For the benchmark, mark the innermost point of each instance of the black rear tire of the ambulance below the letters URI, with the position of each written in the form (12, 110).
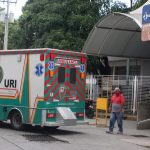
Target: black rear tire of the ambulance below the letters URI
(16, 121)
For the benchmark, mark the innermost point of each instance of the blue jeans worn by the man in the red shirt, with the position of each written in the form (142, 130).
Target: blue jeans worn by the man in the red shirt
(116, 116)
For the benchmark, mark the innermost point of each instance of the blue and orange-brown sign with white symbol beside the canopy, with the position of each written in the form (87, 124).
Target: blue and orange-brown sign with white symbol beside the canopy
(145, 34)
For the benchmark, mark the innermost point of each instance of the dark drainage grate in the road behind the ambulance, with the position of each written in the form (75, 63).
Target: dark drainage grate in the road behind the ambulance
(42, 138)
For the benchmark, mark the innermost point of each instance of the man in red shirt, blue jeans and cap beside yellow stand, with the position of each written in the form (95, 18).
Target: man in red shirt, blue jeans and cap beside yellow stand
(116, 106)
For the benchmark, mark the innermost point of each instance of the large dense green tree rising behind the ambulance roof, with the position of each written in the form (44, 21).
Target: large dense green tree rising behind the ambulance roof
(60, 24)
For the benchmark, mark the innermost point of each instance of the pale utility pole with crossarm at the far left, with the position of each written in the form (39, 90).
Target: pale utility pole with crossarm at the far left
(6, 22)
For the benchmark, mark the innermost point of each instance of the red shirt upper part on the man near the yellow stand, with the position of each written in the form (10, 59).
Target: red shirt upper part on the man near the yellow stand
(118, 99)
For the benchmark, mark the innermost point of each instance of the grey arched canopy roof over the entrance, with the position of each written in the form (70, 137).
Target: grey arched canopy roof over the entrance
(118, 35)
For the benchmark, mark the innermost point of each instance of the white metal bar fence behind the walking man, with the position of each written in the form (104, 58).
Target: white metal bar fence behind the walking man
(136, 89)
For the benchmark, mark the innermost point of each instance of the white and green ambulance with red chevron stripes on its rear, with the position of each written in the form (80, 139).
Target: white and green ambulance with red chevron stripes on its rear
(44, 87)
